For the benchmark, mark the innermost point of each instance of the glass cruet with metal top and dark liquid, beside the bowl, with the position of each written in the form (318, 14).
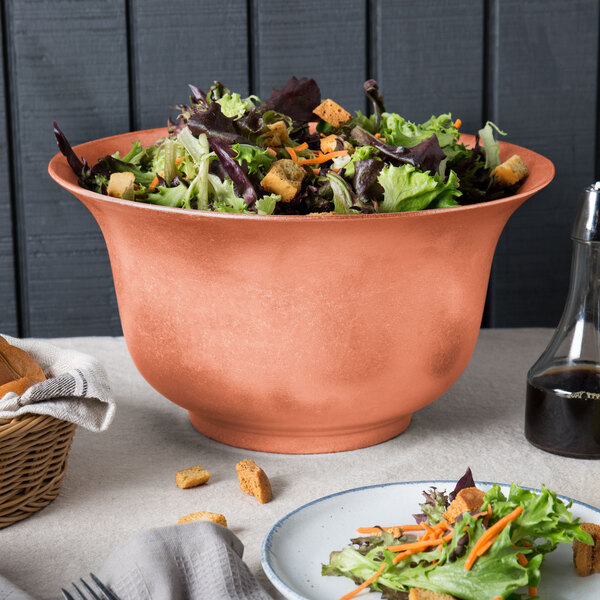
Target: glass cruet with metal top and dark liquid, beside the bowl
(562, 412)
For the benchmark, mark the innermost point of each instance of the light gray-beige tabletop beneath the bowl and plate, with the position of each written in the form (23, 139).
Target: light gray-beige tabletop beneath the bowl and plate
(122, 481)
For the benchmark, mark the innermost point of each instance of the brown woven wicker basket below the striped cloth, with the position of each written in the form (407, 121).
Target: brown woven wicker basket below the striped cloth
(33, 461)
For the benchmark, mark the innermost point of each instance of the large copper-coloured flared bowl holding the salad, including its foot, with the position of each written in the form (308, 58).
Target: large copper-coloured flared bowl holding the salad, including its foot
(299, 334)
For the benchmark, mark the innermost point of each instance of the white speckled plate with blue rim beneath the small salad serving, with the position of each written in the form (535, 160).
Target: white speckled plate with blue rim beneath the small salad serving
(297, 545)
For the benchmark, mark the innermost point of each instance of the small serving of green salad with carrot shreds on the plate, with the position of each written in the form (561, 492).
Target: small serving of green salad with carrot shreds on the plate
(492, 550)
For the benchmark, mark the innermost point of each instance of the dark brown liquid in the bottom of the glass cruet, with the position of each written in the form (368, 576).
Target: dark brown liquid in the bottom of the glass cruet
(562, 412)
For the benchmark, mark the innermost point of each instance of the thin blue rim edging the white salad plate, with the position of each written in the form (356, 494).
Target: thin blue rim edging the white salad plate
(292, 594)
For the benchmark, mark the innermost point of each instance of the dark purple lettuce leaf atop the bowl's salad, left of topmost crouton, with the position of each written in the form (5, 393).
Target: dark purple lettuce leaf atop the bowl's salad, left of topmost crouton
(296, 99)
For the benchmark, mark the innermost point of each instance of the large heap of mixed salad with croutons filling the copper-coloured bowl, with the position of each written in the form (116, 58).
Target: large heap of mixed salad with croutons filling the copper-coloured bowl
(232, 154)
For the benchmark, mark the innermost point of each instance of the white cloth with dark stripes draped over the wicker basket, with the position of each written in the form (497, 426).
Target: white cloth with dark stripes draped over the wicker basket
(77, 391)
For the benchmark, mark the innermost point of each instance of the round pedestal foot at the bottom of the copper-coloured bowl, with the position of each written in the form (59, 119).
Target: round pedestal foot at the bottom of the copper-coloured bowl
(311, 441)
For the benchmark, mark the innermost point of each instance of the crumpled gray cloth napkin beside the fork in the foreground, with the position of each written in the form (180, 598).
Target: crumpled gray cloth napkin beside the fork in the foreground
(192, 561)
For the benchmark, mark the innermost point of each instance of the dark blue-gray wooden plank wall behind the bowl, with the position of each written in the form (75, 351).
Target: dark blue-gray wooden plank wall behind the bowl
(106, 66)
